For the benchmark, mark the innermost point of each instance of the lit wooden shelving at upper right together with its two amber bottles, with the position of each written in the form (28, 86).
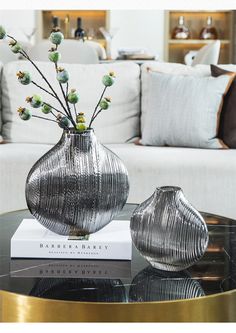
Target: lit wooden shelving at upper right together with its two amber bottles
(203, 27)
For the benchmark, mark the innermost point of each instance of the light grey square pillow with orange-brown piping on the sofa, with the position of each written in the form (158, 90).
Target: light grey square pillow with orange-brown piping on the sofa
(184, 110)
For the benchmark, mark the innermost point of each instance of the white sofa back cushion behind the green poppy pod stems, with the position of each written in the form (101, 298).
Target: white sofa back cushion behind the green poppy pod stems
(118, 124)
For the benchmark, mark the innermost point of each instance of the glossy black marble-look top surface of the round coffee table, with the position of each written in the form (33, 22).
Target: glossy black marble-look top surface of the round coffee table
(117, 280)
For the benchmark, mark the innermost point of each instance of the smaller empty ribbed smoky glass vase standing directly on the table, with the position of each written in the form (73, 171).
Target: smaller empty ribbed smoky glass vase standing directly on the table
(168, 231)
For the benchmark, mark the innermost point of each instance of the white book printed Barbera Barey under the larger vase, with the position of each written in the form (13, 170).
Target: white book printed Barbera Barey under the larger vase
(33, 240)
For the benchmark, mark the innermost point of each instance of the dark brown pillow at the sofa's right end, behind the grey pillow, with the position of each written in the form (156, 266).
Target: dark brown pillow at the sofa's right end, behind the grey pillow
(227, 126)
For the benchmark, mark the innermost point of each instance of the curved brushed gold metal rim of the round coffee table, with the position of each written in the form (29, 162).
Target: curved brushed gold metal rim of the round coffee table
(213, 308)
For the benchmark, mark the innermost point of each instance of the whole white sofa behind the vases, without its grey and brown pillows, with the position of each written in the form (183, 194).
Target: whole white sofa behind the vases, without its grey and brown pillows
(207, 177)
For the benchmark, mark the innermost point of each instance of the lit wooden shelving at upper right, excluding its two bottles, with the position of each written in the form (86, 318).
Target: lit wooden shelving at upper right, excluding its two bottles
(175, 49)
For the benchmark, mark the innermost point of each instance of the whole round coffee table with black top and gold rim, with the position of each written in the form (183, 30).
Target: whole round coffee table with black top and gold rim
(36, 290)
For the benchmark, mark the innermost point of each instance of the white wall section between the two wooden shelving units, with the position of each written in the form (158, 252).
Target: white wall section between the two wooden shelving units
(139, 28)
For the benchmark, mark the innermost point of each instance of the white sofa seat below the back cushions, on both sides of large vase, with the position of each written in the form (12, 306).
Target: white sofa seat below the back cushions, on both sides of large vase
(206, 176)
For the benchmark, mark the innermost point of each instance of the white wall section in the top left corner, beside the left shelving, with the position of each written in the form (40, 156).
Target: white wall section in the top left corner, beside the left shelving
(18, 23)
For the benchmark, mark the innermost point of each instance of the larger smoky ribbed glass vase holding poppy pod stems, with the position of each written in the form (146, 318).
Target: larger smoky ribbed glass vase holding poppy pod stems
(77, 187)
